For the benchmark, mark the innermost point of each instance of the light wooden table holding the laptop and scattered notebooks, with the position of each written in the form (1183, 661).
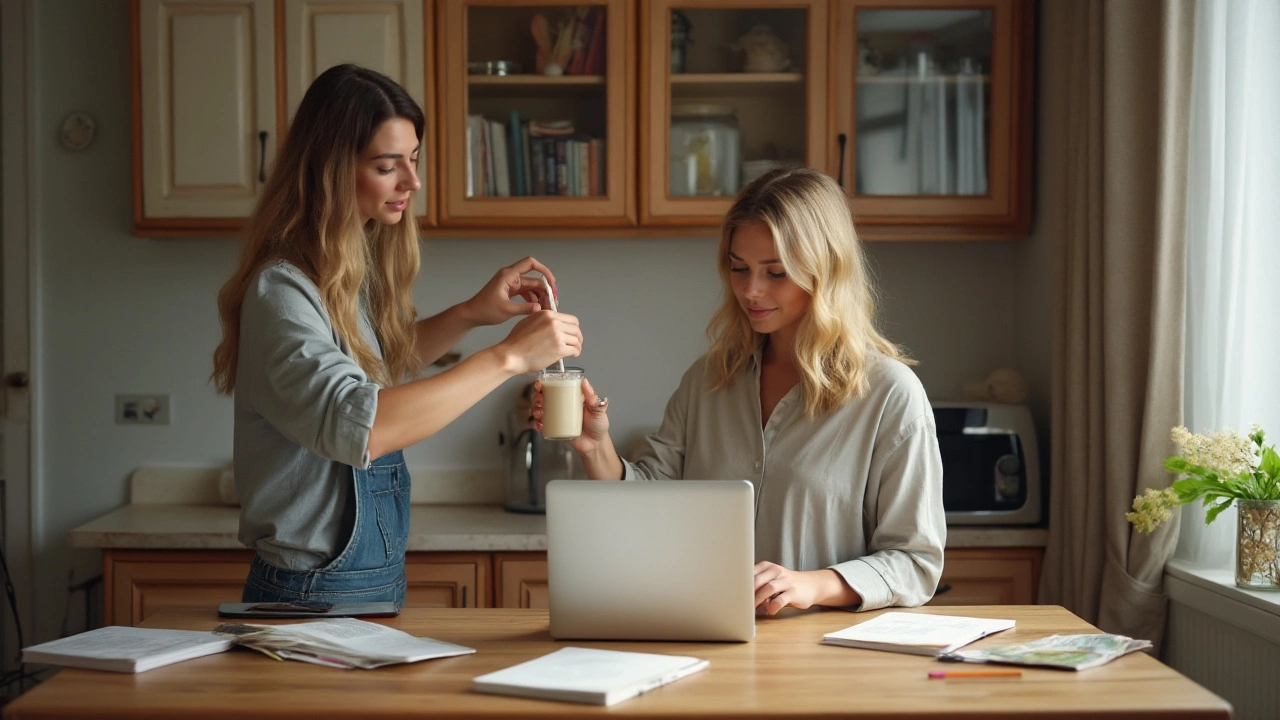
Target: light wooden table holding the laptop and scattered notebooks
(784, 673)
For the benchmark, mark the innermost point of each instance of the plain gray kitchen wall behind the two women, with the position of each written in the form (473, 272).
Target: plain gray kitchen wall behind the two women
(117, 313)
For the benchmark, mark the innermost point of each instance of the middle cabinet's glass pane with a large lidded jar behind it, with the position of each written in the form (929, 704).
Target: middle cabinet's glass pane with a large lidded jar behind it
(738, 98)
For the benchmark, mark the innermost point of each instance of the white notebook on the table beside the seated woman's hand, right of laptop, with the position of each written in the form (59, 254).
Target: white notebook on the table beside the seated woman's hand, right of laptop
(917, 634)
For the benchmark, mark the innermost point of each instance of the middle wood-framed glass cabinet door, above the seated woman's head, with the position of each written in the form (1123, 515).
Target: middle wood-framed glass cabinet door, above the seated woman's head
(729, 92)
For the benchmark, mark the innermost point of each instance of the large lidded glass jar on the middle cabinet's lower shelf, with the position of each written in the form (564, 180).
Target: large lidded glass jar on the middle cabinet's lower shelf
(706, 151)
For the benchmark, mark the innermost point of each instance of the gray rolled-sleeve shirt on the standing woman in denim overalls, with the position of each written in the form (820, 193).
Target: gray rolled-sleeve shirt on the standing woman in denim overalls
(304, 411)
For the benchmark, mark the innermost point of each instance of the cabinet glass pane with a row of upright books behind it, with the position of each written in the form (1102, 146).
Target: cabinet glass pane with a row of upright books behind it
(537, 112)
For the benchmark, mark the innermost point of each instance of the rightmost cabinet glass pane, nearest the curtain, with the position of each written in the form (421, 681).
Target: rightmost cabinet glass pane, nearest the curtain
(924, 102)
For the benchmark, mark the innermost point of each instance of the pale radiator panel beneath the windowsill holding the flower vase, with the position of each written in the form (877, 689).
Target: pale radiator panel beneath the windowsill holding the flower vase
(1227, 645)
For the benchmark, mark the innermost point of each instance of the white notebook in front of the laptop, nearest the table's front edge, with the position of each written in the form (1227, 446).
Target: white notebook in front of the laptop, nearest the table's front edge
(579, 675)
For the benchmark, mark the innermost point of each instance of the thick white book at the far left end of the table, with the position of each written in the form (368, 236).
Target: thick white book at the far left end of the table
(126, 650)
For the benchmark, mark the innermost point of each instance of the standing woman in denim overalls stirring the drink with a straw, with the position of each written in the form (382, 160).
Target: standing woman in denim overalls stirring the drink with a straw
(322, 344)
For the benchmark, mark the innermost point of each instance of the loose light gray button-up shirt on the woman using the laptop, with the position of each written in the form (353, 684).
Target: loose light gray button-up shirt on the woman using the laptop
(858, 490)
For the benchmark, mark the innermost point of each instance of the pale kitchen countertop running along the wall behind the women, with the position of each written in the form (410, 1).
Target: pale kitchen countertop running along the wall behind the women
(433, 528)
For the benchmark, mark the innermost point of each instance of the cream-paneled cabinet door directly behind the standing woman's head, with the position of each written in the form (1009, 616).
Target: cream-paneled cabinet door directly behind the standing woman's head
(387, 37)
